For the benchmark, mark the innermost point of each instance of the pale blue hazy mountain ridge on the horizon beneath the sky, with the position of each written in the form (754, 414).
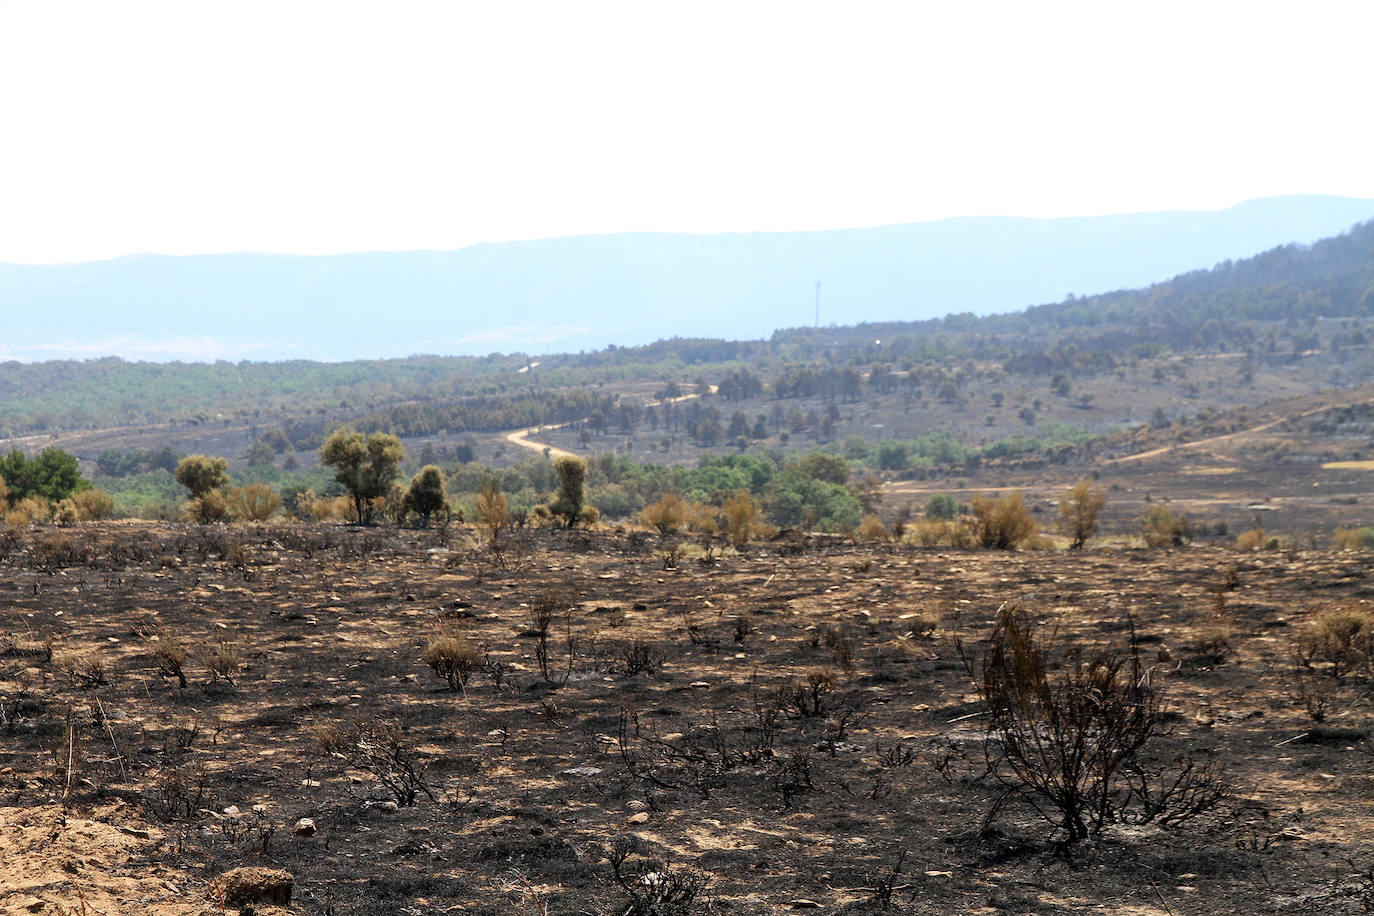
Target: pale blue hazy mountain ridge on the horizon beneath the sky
(589, 292)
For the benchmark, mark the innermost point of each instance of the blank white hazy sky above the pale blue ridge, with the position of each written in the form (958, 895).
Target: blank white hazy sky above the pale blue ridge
(192, 127)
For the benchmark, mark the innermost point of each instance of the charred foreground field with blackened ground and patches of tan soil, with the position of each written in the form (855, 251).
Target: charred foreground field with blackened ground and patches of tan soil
(788, 729)
